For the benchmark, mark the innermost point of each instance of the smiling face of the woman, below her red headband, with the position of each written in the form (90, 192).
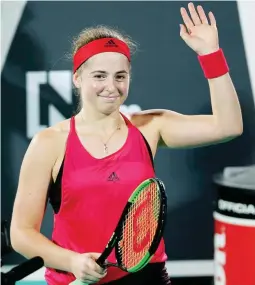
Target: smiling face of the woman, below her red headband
(104, 82)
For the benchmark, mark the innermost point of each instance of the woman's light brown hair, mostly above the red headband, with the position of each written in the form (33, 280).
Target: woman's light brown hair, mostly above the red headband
(98, 32)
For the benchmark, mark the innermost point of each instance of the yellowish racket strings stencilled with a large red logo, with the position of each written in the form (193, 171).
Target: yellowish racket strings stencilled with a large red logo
(140, 226)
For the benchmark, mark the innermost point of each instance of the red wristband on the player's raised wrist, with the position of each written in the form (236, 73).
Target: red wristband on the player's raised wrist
(214, 64)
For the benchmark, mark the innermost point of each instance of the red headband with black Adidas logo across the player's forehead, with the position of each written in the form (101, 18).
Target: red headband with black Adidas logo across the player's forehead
(99, 46)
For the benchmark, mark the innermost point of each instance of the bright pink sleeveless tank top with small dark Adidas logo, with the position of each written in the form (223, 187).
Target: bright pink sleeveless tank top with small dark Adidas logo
(93, 195)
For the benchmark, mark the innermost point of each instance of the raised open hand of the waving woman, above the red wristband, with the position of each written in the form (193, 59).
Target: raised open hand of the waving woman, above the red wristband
(198, 34)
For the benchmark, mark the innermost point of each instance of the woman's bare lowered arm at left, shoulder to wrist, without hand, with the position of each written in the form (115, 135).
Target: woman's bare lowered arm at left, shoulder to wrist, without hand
(29, 205)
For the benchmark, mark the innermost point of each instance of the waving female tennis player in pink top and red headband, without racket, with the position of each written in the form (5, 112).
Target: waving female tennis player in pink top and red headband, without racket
(88, 165)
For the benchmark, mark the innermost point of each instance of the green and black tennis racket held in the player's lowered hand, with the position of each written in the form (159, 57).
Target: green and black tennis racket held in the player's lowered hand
(139, 230)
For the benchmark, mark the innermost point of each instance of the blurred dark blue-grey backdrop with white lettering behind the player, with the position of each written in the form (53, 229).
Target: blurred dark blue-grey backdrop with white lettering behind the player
(36, 92)
